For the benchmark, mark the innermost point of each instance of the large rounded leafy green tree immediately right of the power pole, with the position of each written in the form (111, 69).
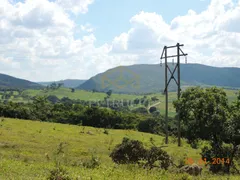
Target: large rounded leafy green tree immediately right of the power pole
(203, 113)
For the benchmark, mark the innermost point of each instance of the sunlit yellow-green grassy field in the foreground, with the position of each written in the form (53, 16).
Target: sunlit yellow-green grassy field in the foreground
(27, 151)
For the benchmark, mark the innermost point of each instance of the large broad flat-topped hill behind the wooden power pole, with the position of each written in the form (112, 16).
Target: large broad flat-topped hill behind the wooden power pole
(150, 78)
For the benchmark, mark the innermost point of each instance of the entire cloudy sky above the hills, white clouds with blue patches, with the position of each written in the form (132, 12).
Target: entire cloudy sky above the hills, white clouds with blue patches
(47, 40)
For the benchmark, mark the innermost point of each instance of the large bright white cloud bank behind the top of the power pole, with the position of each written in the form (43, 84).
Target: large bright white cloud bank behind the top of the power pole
(210, 37)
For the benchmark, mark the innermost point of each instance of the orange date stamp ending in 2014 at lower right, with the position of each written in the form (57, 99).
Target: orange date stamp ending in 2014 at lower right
(213, 161)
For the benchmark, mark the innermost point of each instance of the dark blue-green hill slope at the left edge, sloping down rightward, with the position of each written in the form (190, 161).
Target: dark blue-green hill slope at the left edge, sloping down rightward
(7, 81)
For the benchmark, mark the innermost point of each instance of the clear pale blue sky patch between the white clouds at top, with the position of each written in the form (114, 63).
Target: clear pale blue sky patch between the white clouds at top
(111, 17)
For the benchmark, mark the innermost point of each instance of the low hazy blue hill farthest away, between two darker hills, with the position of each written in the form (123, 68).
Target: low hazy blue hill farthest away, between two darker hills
(68, 83)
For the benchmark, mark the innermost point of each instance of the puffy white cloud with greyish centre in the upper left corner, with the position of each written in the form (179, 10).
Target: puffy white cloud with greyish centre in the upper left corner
(39, 14)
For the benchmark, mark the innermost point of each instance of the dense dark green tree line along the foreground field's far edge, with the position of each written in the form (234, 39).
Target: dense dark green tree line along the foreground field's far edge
(75, 112)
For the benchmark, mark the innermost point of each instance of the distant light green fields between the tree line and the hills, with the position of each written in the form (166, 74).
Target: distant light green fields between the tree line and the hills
(90, 96)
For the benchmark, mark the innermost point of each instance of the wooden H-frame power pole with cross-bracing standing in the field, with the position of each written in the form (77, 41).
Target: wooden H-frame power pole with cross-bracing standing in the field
(177, 81)
